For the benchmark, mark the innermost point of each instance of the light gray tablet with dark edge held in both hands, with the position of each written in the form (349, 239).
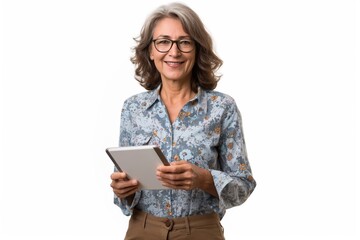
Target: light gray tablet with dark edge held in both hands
(140, 163)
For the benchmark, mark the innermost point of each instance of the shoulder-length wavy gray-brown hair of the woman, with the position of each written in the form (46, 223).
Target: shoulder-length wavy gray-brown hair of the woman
(206, 62)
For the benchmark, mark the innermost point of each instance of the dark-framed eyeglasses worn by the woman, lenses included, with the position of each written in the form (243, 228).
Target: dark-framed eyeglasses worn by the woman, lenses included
(164, 45)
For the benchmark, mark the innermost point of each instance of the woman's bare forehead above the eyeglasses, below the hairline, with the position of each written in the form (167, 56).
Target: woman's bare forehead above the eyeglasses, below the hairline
(170, 27)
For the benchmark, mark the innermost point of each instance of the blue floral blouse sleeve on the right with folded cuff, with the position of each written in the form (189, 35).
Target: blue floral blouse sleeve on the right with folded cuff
(234, 182)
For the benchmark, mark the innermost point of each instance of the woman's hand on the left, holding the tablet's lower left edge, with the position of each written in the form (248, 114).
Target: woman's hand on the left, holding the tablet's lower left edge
(122, 186)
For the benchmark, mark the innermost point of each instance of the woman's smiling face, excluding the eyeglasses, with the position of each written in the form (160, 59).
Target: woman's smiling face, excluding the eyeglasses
(173, 65)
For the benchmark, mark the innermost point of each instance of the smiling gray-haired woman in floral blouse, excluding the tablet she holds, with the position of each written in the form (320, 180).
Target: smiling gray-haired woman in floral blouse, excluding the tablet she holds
(198, 129)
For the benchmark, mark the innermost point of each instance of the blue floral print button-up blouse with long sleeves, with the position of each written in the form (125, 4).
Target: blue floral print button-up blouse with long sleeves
(208, 133)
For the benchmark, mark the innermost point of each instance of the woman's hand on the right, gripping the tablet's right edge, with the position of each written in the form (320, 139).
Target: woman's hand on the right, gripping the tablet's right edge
(186, 176)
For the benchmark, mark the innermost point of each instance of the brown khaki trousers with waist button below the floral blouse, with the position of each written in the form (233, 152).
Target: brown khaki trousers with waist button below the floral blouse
(148, 227)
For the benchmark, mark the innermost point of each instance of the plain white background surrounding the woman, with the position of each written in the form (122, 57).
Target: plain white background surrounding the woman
(292, 67)
